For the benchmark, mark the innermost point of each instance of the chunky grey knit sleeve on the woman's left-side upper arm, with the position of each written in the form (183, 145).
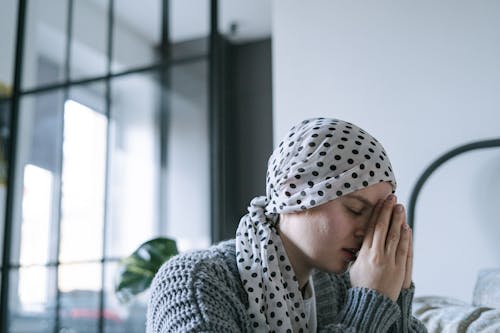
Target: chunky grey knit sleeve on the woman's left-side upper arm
(195, 293)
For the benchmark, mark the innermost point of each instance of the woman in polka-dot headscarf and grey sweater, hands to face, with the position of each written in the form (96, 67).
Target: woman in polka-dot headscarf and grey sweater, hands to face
(327, 249)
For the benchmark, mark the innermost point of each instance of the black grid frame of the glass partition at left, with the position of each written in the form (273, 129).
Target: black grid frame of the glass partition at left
(217, 128)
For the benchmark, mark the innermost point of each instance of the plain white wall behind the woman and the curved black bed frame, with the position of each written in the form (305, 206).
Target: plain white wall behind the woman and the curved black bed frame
(423, 77)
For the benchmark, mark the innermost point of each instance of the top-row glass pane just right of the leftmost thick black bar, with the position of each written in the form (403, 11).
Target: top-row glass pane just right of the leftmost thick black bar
(44, 42)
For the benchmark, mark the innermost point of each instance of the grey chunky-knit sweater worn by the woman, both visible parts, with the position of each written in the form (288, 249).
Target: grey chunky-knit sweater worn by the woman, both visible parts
(202, 292)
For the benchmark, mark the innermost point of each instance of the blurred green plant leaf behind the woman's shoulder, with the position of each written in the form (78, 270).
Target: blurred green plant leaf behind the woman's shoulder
(135, 272)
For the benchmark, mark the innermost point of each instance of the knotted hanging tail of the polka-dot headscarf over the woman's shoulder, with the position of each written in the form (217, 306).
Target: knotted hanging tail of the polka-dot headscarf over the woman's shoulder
(266, 273)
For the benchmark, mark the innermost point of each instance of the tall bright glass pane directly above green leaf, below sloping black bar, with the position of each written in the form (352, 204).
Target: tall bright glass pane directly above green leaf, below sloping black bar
(134, 163)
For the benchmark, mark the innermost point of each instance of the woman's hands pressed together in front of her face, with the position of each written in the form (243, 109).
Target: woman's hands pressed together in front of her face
(385, 260)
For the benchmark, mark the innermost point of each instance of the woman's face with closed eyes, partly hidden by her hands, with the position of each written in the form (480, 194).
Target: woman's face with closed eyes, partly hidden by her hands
(327, 236)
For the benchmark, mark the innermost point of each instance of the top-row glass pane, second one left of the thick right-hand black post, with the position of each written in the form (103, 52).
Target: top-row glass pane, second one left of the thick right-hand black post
(136, 33)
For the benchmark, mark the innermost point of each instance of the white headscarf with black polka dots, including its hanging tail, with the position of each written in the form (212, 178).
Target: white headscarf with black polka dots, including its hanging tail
(318, 161)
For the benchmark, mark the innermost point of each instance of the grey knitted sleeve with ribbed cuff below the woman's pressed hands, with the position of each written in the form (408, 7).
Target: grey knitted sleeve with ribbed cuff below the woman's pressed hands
(341, 308)
